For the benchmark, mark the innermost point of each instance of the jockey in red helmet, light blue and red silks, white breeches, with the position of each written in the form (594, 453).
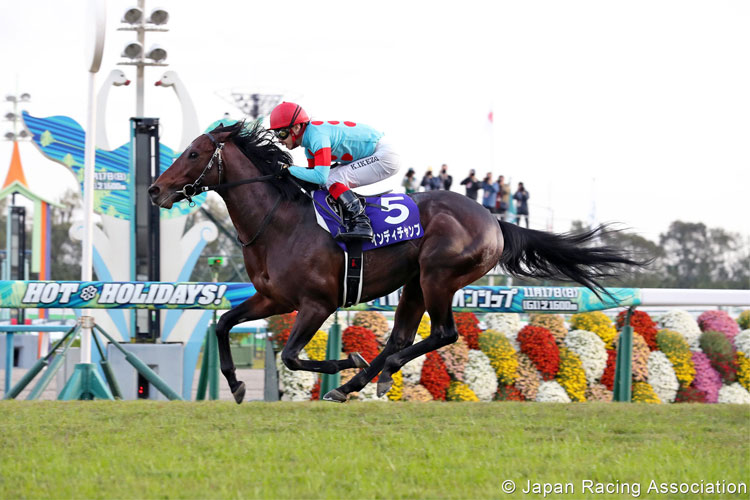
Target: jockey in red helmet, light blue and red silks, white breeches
(363, 156)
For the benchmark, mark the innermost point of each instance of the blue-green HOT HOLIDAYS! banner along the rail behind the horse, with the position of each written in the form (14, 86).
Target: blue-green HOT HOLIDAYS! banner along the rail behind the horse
(157, 295)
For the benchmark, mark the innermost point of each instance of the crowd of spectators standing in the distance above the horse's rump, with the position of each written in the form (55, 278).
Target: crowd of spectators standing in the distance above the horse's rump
(496, 194)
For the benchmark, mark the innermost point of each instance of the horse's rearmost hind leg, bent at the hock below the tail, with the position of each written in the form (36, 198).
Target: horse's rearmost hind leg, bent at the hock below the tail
(438, 300)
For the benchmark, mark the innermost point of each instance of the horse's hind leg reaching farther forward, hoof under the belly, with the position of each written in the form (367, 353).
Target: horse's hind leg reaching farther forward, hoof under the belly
(408, 315)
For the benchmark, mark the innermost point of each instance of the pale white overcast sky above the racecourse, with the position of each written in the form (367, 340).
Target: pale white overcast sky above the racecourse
(632, 111)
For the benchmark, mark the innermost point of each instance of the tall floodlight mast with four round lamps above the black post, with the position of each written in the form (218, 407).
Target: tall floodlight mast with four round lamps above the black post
(135, 19)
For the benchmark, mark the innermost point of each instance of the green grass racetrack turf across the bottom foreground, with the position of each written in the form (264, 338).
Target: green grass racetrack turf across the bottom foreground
(144, 449)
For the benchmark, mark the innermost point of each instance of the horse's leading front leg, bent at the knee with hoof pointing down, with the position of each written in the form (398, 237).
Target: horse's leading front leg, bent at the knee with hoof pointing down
(256, 307)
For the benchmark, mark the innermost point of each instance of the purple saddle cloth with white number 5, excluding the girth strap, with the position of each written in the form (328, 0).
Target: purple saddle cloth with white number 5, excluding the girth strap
(397, 221)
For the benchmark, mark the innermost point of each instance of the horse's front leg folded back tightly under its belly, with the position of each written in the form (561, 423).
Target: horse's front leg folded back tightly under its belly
(309, 319)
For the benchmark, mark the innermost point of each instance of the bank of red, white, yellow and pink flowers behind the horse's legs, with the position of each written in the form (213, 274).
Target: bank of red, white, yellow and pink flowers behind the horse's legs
(518, 362)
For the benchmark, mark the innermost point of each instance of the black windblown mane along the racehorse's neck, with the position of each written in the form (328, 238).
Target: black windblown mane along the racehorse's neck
(258, 145)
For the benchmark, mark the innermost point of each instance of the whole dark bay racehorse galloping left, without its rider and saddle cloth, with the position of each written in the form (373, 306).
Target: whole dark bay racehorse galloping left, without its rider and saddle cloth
(296, 265)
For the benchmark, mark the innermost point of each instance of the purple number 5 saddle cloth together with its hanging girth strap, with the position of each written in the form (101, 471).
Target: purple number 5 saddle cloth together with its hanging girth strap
(395, 219)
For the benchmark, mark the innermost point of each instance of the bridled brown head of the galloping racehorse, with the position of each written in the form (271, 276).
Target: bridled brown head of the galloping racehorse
(199, 165)
